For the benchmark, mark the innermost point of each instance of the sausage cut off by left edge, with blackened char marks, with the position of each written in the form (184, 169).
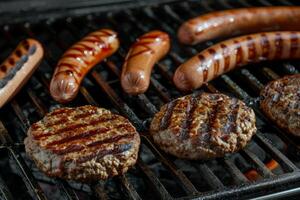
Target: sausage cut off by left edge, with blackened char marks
(18, 68)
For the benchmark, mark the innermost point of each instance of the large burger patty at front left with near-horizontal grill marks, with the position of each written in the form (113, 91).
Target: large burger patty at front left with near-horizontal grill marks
(84, 143)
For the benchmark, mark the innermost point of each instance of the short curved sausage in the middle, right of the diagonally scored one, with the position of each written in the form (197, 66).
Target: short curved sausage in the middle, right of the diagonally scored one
(142, 56)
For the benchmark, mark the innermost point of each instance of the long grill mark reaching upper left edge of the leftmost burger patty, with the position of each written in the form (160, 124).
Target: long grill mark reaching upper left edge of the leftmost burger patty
(74, 126)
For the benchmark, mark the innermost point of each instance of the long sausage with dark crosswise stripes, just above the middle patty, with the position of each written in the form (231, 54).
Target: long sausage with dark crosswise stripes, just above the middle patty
(233, 53)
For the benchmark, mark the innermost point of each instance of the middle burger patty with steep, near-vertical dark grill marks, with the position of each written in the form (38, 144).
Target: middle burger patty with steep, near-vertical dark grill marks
(201, 126)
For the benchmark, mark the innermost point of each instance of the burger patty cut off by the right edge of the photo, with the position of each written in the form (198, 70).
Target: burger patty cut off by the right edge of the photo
(280, 101)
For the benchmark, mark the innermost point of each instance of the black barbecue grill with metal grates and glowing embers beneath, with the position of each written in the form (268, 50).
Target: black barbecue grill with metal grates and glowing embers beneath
(267, 168)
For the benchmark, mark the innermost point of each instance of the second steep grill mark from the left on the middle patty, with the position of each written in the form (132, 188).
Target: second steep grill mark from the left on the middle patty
(187, 123)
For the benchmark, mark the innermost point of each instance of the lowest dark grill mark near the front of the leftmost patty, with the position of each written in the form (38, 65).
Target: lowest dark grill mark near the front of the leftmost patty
(100, 154)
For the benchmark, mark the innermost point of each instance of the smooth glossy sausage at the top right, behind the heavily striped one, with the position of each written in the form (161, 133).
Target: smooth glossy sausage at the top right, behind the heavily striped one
(239, 21)
